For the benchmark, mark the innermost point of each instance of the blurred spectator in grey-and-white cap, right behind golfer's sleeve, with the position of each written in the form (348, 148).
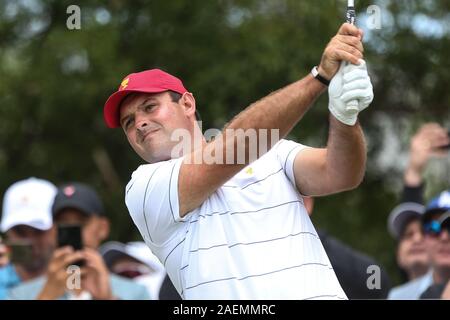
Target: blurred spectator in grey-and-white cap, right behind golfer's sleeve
(135, 260)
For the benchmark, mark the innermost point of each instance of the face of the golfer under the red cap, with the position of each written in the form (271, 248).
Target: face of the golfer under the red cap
(149, 120)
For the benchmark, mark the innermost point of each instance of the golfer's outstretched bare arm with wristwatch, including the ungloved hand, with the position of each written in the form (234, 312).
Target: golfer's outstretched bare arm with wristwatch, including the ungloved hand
(280, 110)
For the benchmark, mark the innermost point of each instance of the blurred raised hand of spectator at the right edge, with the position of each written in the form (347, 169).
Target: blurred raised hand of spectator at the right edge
(425, 145)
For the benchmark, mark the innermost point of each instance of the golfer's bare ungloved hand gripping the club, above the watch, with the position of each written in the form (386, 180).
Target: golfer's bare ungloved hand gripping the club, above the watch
(346, 45)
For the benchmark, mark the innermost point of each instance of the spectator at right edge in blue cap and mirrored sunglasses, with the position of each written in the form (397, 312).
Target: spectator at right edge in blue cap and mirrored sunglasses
(436, 225)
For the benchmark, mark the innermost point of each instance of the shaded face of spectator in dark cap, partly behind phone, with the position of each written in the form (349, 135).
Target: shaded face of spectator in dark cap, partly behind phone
(94, 229)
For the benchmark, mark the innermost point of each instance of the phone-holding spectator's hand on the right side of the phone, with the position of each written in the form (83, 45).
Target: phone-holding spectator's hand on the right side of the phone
(95, 276)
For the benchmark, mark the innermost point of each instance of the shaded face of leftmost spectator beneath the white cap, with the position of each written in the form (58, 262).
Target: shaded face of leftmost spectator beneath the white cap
(42, 243)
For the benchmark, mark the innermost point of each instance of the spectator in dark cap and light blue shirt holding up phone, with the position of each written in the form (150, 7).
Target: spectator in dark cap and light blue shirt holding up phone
(78, 204)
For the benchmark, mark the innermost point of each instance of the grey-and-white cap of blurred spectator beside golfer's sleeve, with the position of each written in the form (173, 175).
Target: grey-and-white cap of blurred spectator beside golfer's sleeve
(137, 250)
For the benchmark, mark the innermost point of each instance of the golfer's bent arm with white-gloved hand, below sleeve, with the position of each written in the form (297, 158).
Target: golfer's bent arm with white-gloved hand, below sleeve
(341, 165)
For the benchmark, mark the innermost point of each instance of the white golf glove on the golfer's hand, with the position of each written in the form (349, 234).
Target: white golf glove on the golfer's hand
(351, 84)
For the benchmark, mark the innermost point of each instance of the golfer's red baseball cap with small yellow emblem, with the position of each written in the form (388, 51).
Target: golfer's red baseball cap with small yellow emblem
(149, 81)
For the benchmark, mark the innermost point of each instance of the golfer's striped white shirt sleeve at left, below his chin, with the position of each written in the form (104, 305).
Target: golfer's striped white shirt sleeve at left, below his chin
(151, 197)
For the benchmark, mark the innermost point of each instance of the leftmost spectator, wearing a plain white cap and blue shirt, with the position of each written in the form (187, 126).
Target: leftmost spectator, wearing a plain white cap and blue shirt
(27, 224)
